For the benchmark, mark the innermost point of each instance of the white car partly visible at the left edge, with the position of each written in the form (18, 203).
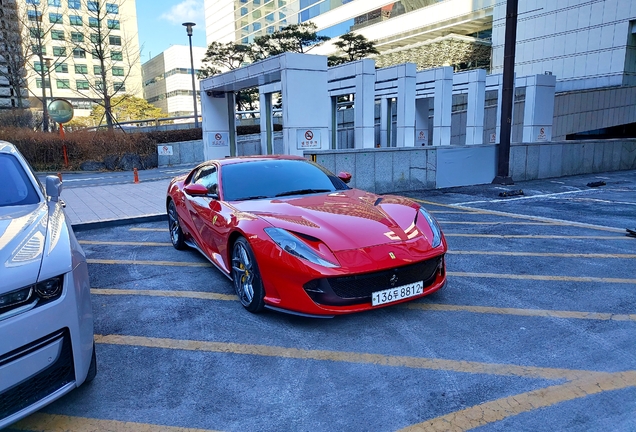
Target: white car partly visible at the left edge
(46, 318)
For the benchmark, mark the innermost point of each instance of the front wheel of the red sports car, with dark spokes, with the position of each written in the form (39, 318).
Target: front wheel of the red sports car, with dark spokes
(246, 277)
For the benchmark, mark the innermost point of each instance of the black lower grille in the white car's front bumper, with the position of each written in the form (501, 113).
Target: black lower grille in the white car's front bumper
(44, 383)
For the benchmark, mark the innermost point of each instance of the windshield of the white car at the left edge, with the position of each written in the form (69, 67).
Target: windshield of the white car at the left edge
(15, 186)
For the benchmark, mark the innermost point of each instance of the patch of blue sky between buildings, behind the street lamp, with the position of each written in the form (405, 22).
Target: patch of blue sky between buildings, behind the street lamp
(159, 23)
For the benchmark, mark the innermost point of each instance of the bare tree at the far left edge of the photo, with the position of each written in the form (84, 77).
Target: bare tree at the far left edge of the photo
(12, 58)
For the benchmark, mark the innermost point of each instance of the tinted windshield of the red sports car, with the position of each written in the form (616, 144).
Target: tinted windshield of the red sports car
(276, 178)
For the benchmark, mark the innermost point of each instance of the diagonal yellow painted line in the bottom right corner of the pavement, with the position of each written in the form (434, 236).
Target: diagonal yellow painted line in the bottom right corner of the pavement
(497, 410)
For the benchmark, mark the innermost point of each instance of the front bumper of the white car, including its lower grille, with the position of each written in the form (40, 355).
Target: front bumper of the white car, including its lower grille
(46, 352)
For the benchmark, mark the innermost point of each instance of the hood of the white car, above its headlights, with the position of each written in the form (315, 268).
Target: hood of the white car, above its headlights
(23, 232)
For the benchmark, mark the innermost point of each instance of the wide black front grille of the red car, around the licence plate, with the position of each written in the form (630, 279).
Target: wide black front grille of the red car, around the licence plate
(355, 289)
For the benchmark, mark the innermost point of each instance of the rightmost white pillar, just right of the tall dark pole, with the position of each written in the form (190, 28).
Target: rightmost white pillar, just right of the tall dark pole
(539, 108)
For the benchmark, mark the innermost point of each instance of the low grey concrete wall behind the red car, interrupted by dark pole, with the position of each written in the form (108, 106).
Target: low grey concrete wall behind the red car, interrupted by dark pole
(385, 170)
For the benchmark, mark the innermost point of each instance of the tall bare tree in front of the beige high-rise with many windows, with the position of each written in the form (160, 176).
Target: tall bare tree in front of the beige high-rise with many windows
(114, 56)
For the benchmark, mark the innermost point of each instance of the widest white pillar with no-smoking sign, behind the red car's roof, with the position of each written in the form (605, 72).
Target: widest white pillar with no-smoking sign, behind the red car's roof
(306, 103)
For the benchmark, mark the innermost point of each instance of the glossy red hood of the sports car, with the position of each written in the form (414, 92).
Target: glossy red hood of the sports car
(343, 220)
